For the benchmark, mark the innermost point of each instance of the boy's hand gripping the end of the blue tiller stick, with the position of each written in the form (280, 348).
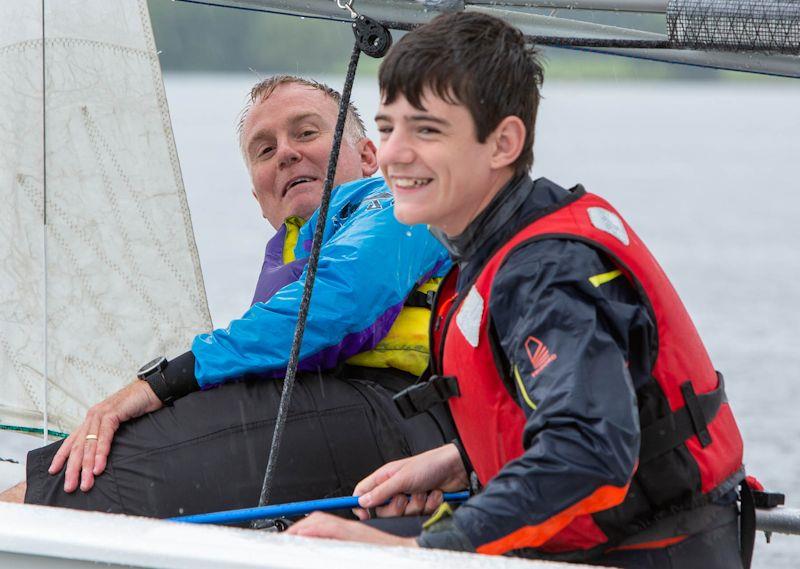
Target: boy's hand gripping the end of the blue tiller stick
(435, 471)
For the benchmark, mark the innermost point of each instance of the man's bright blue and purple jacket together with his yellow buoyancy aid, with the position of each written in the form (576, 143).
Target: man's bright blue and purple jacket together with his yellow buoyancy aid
(370, 265)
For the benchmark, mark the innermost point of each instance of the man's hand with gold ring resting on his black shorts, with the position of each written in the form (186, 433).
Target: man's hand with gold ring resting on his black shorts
(86, 458)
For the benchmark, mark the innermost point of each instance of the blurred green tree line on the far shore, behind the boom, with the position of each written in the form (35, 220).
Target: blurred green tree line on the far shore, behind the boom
(199, 38)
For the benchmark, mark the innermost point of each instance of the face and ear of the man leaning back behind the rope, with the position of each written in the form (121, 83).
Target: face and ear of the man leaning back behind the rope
(287, 141)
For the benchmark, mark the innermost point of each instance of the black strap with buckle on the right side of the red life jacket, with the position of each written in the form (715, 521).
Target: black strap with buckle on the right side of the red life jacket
(692, 419)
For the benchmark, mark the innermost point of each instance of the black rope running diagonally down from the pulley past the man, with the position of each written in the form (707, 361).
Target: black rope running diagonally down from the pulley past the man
(311, 273)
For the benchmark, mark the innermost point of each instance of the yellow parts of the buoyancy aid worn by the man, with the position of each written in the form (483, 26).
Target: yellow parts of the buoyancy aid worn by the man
(405, 346)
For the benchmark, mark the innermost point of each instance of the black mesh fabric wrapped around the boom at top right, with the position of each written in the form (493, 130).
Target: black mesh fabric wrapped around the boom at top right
(768, 26)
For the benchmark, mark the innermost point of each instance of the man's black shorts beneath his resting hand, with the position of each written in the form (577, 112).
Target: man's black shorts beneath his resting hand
(209, 450)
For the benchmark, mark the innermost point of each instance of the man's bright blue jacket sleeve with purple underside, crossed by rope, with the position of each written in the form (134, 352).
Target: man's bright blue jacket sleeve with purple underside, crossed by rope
(369, 263)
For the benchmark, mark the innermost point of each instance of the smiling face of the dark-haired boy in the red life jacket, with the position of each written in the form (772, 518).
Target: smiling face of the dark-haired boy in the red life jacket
(437, 170)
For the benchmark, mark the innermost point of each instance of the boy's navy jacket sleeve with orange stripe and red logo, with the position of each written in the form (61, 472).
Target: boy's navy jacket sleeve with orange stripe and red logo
(567, 355)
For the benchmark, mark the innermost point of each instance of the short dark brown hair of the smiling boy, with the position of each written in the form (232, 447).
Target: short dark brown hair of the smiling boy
(472, 59)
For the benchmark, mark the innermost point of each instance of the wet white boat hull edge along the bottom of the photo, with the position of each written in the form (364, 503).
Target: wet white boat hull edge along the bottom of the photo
(42, 537)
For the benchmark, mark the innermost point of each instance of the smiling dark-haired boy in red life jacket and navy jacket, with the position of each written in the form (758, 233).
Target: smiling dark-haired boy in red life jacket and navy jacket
(587, 406)
